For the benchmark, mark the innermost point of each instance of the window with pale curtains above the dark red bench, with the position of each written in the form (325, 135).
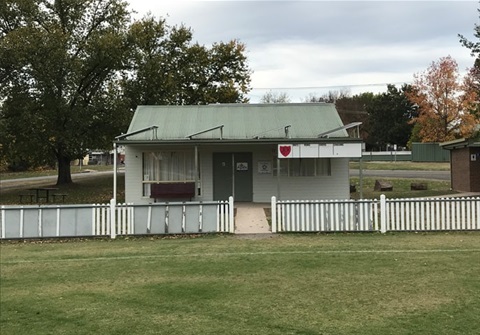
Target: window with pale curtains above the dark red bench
(168, 166)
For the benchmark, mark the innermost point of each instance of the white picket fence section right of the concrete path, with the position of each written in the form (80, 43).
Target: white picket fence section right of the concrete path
(418, 214)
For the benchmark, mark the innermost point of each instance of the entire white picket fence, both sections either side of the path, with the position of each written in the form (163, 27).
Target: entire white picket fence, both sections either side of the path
(417, 214)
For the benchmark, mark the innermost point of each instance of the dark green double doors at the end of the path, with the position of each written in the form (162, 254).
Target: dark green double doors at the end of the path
(232, 175)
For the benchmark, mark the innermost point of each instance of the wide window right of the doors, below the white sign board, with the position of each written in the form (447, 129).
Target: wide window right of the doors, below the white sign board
(303, 167)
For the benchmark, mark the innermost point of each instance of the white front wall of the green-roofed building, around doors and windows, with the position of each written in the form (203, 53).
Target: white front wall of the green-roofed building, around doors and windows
(265, 186)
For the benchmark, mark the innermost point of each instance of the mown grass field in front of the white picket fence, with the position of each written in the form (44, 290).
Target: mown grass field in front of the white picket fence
(289, 284)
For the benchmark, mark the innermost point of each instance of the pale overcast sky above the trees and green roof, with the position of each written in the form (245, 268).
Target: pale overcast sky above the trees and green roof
(311, 47)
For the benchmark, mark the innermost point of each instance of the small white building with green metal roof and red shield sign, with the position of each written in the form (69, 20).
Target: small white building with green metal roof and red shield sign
(249, 151)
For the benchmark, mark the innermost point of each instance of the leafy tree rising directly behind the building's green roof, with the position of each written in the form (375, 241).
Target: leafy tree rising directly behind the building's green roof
(165, 67)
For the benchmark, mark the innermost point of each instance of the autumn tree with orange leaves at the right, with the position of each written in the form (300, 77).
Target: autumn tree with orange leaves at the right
(446, 102)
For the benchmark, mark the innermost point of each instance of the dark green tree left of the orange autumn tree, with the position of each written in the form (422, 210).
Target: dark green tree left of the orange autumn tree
(389, 116)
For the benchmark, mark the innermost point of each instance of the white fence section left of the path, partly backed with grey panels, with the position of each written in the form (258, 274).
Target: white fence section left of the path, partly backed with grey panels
(40, 221)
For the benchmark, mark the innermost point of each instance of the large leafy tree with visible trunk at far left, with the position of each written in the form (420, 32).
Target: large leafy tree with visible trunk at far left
(56, 60)
